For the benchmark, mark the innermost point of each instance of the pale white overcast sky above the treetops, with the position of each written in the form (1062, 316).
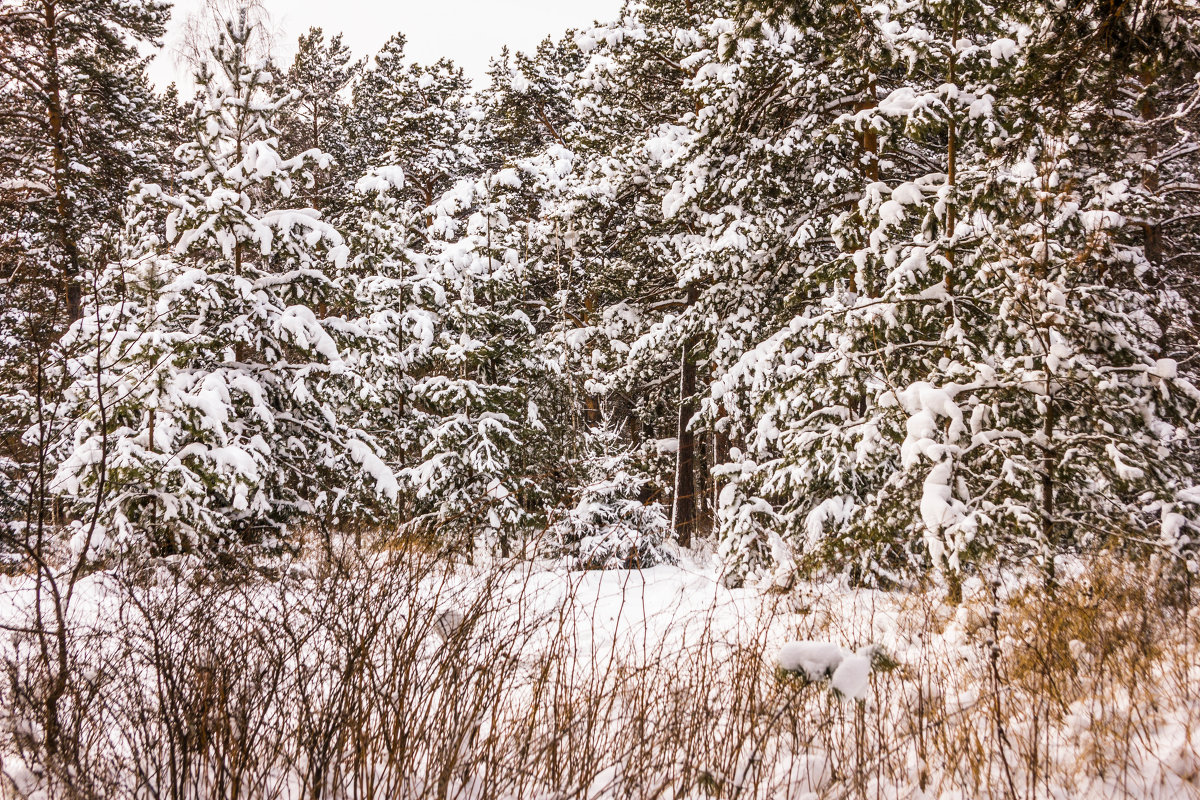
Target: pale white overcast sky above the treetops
(470, 32)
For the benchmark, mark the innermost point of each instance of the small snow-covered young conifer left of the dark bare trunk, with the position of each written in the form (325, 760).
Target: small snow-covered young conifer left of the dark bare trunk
(613, 528)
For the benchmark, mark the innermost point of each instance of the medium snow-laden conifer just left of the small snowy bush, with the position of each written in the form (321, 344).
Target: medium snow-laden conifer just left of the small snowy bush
(484, 452)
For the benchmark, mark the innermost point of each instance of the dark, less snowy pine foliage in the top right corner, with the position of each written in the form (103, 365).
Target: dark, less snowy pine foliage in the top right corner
(1137, 107)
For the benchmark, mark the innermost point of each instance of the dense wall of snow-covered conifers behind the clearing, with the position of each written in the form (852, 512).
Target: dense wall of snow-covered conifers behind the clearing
(883, 291)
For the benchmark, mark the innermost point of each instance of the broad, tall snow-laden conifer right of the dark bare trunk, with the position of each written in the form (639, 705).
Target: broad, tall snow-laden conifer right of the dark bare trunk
(939, 400)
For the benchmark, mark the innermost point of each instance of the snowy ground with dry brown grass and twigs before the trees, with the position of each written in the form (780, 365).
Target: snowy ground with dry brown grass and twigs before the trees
(397, 675)
